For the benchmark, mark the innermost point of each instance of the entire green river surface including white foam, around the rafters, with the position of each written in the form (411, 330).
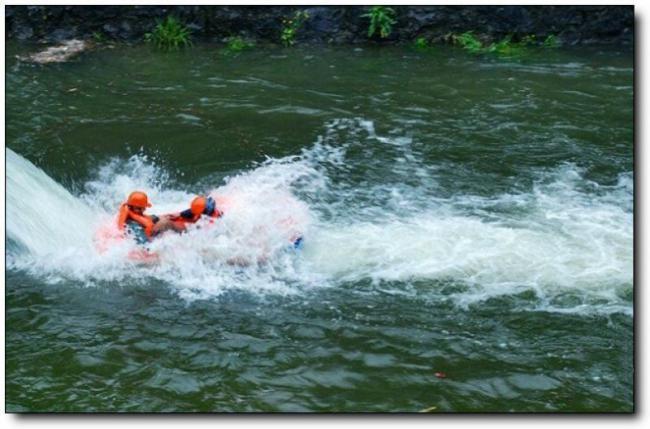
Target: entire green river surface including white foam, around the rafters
(467, 225)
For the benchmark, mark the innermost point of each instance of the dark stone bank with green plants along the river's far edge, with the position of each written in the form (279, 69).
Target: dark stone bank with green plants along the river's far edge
(327, 24)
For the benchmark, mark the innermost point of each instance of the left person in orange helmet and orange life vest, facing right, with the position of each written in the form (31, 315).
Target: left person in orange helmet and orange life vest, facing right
(143, 228)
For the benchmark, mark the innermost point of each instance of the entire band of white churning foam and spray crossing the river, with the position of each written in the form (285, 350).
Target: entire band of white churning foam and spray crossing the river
(564, 235)
